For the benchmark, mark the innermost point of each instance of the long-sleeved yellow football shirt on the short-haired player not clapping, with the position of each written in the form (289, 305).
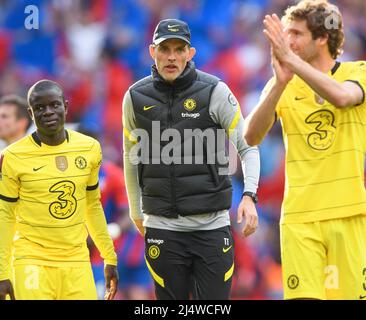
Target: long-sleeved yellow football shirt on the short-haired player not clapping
(50, 199)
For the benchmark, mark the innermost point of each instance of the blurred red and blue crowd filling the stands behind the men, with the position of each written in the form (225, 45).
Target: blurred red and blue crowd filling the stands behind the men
(97, 48)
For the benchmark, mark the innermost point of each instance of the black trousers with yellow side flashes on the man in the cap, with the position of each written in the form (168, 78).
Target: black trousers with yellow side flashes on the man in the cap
(200, 263)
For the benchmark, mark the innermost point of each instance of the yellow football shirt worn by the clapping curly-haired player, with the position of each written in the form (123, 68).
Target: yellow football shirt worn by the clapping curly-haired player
(325, 150)
